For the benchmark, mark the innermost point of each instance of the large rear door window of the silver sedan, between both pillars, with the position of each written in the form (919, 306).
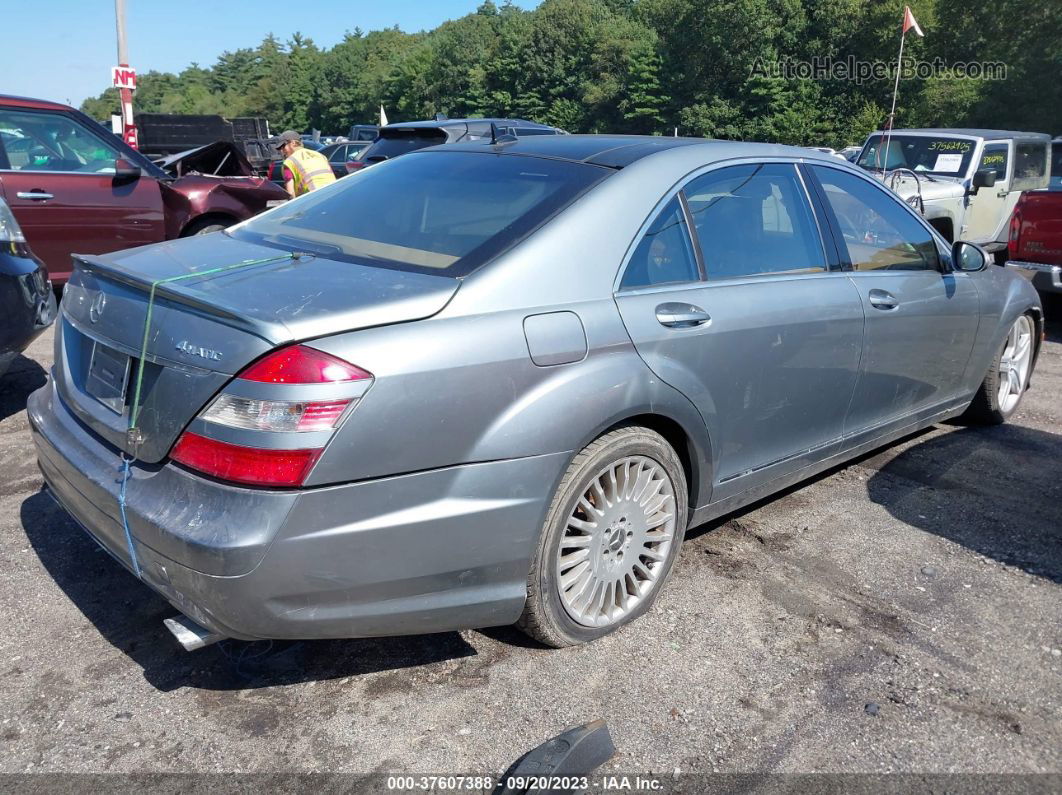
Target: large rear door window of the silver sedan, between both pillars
(755, 220)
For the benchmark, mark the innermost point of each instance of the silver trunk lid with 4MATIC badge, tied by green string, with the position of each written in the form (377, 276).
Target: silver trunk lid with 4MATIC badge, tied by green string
(207, 329)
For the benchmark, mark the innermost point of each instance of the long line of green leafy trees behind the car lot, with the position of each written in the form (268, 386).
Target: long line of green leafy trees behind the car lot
(646, 67)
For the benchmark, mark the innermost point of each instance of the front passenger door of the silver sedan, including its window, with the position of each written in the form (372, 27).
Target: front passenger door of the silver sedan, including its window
(921, 317)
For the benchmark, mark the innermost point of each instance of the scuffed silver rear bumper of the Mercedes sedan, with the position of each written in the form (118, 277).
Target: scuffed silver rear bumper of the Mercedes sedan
(435, 551)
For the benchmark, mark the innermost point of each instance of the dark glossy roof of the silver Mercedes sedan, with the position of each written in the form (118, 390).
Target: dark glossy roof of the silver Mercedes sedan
(620, 151)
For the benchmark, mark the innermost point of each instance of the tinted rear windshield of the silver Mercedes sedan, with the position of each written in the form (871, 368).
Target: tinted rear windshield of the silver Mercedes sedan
(440, 212)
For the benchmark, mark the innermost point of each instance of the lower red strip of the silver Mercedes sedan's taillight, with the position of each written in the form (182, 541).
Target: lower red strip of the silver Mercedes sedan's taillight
(249, 465)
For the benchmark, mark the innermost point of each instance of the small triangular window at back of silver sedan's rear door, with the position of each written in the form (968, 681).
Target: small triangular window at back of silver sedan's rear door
(665, 255)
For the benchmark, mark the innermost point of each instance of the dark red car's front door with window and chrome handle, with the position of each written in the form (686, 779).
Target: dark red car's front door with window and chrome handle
(58, 176)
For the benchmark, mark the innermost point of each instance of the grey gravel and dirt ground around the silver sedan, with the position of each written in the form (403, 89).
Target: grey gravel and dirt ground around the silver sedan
(926, 579)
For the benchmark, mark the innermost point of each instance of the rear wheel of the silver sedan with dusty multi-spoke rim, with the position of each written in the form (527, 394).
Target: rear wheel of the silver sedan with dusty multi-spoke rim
(637, 480)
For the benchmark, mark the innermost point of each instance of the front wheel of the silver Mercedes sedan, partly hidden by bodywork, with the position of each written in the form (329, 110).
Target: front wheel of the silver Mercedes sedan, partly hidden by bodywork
(1013, 365)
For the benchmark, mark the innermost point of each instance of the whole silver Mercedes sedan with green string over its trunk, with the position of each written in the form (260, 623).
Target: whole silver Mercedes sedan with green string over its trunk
(475, 387)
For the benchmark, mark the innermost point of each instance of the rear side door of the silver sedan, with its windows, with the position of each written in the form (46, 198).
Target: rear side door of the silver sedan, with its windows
(747, 319)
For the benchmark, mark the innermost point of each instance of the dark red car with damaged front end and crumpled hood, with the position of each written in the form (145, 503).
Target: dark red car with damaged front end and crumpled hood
(75, 187)
